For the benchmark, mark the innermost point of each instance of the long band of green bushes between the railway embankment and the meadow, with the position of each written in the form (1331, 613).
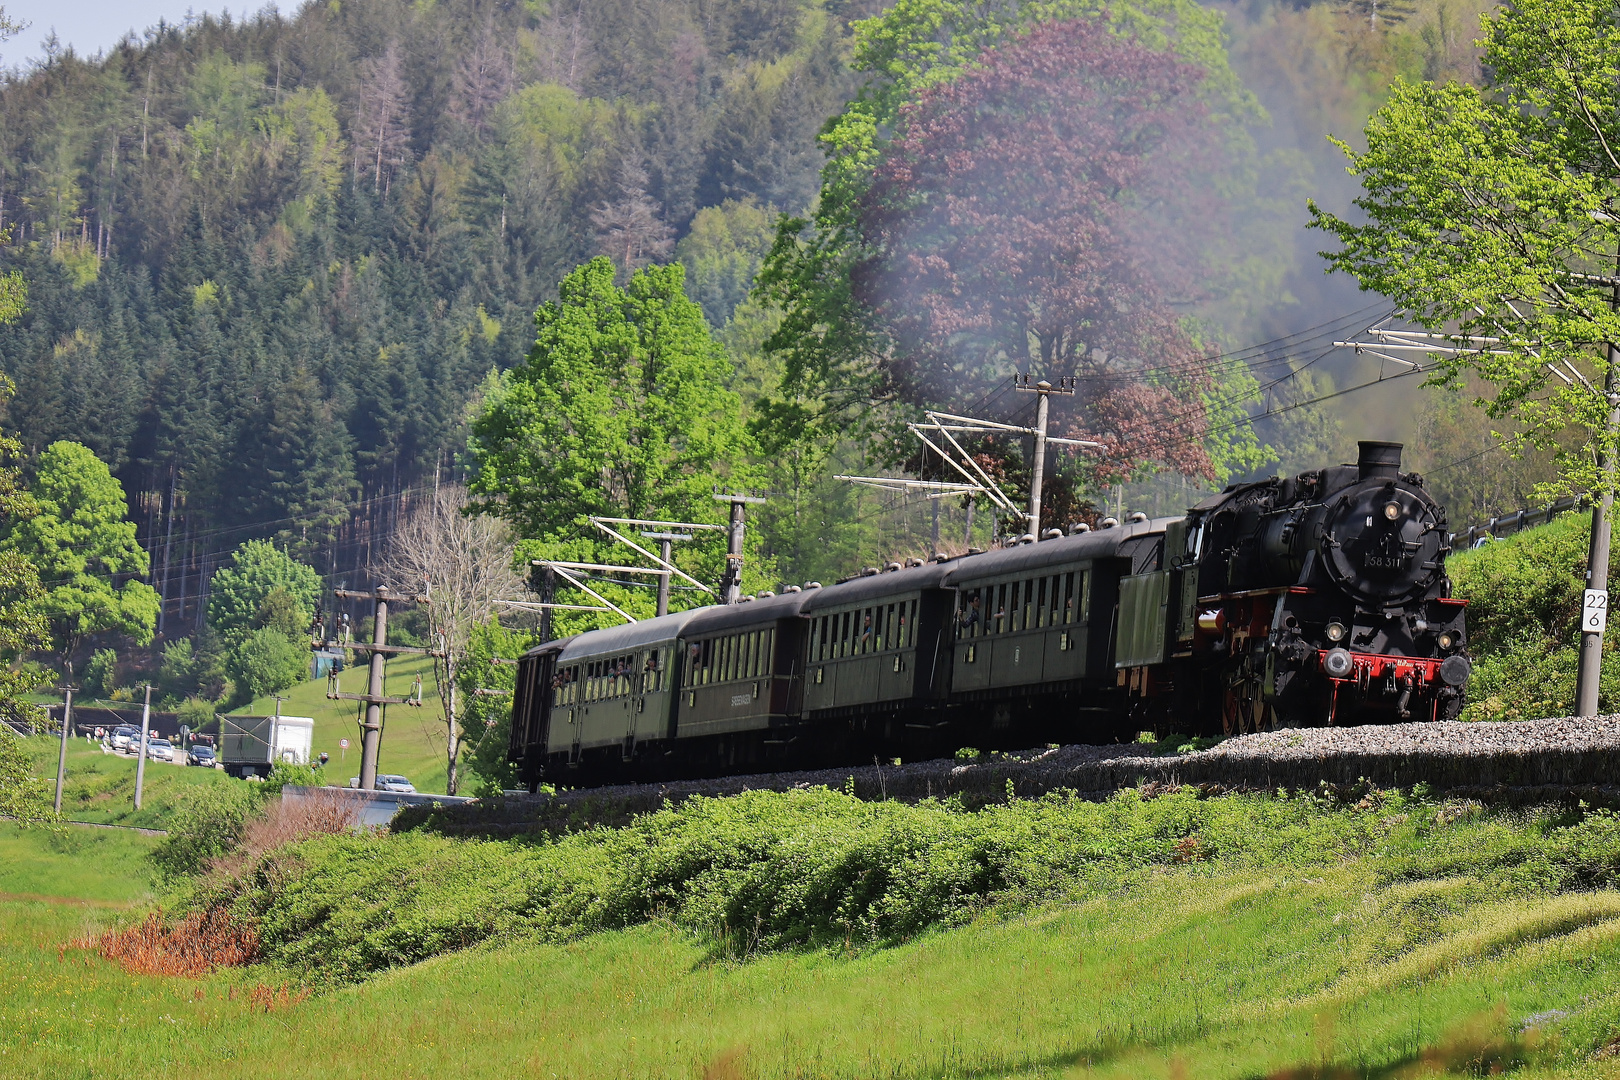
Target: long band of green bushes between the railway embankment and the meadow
(774, 870)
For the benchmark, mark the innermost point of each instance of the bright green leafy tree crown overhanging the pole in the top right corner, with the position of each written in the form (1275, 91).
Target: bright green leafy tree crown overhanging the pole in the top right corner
(1486, 206)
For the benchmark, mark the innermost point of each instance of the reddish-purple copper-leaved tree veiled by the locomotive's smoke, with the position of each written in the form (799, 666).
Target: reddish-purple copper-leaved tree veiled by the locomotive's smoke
(1044, 211)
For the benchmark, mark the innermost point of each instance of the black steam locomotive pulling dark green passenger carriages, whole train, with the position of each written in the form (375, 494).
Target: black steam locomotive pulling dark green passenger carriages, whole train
(1313, 600)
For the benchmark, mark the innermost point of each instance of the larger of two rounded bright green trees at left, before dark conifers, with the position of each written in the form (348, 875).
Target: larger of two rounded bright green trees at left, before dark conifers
(82, 545)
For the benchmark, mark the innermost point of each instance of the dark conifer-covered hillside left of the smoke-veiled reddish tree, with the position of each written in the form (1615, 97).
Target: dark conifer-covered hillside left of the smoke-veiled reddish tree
(270, 261)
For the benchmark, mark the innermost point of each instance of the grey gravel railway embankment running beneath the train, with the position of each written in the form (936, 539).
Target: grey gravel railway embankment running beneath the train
(1550, 759)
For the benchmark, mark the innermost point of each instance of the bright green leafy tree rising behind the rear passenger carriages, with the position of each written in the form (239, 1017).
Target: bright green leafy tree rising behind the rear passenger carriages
(621, 410)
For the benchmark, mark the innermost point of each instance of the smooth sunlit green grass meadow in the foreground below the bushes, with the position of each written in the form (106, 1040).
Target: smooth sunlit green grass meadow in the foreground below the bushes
(1345, 969)
